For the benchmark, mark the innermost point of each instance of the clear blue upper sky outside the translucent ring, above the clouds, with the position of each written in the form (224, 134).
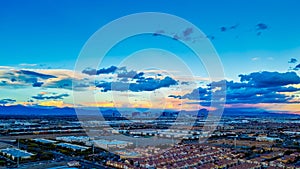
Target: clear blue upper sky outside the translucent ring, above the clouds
(55, 31)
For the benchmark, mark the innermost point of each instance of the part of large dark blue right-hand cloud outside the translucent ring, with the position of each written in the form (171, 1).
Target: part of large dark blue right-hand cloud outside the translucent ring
(262, 87)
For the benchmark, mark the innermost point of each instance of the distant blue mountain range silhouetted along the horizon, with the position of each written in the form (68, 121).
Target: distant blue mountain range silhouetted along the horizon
(112, 112)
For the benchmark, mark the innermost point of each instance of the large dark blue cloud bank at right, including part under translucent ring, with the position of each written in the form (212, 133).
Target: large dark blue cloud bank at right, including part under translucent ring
(257, 87)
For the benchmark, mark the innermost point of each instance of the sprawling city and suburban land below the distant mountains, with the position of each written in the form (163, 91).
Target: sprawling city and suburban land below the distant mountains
(236, 142)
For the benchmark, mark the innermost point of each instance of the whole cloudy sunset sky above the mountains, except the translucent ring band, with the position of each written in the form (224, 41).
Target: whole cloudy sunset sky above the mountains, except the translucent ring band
(257, 43)
